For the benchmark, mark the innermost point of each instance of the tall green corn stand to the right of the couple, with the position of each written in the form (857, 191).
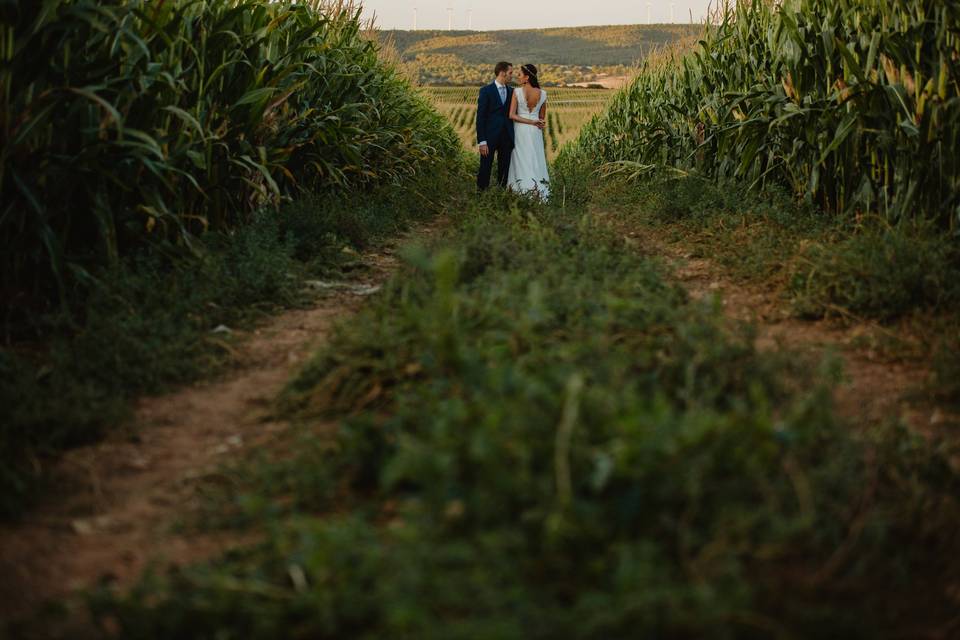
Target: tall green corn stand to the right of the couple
(853, 105)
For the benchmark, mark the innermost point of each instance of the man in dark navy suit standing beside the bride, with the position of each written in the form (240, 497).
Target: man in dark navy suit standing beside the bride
(494, 129)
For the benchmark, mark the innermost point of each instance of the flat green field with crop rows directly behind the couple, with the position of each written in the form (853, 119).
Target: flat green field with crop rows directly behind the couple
(568, 110)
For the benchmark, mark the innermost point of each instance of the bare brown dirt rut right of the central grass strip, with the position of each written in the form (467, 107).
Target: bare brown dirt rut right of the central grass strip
(876, 387)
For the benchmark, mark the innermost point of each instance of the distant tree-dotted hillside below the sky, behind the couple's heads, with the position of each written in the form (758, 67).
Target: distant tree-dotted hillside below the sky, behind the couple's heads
(565, 56)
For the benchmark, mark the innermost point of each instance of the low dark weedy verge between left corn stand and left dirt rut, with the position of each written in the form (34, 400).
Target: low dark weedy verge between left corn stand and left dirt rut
(148, 324)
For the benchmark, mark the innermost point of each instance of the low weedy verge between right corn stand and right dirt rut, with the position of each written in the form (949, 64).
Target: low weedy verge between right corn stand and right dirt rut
(827, 266)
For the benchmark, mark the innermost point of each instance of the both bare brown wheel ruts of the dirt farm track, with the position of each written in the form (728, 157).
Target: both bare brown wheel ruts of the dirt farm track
(119, 499)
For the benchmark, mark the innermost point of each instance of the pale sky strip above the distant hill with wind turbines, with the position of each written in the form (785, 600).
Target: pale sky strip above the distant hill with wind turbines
(529, 14)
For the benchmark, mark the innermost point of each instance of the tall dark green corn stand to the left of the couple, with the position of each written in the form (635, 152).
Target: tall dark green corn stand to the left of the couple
(133, 121)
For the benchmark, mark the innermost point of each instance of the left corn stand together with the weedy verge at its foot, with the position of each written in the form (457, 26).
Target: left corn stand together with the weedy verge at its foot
(157, 176)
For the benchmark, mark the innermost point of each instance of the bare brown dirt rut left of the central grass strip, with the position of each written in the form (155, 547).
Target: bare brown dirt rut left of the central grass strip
(116, 502)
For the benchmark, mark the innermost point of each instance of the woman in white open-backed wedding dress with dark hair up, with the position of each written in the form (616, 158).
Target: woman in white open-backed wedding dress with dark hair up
(528, 110)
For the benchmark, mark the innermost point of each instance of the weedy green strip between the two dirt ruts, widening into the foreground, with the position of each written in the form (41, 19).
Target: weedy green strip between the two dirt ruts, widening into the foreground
(492, 477)
